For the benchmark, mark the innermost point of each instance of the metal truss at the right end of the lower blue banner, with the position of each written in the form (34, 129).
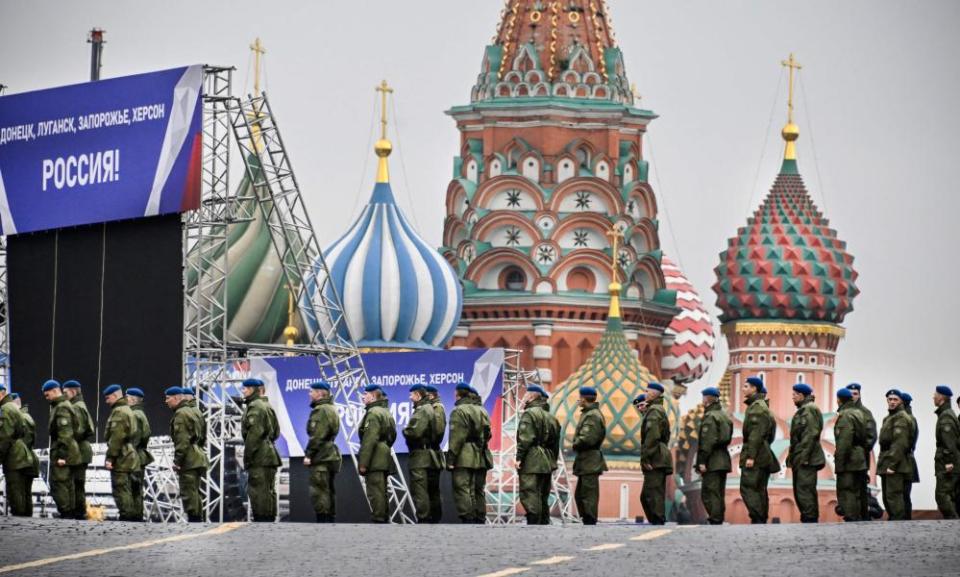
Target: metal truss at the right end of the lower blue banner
(503, 483)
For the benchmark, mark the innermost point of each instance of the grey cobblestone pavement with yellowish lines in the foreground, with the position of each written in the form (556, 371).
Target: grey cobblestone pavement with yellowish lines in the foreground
(915, 549)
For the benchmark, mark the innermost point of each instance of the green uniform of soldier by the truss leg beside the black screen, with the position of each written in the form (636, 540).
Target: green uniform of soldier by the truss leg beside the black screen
(187, 430)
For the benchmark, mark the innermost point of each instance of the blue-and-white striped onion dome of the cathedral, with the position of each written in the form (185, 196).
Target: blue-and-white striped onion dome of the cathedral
(397, 291)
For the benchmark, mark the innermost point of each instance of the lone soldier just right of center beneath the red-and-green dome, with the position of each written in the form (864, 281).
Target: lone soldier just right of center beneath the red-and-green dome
(806, 457)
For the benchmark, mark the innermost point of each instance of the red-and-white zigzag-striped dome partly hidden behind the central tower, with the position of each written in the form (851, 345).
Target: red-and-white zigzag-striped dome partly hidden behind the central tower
(692, 351)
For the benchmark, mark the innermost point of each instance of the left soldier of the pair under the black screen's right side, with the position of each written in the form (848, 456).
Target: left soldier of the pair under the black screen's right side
(122, 459)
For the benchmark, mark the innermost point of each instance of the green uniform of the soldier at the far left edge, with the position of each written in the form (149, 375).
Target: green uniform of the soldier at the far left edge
(16, 458)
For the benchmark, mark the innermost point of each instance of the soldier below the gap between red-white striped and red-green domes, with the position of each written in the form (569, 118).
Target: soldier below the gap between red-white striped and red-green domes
(713, 457)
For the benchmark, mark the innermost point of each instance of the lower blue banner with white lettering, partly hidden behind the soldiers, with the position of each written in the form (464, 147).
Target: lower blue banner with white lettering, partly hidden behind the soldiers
(288, 380)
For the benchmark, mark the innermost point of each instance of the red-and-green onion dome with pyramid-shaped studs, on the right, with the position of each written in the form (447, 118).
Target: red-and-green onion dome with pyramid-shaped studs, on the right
(787, 263)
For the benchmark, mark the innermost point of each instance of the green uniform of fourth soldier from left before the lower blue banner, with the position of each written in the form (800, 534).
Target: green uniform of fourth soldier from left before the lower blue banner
(419, 434)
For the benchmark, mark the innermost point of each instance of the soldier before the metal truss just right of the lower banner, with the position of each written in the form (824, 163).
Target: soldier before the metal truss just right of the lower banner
(538, 445)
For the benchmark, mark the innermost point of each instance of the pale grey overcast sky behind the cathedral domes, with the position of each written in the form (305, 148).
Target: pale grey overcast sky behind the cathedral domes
(879, 89)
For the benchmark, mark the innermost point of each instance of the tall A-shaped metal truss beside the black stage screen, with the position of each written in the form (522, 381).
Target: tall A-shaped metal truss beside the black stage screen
(214, 364)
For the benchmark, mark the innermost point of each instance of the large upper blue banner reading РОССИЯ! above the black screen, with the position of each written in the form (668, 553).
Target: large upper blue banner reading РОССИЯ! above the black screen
(101, 151)
